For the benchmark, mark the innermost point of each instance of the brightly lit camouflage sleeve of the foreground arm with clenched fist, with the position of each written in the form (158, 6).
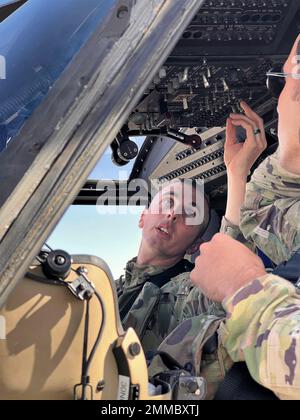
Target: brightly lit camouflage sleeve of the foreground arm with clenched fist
(263, 329)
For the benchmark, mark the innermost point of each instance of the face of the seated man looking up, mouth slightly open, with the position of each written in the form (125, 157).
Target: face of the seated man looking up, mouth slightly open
(167, 224)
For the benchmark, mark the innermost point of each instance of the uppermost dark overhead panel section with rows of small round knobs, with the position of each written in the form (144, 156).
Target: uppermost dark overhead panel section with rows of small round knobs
(236, 27)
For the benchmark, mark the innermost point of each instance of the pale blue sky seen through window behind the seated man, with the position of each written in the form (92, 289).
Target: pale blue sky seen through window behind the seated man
(113, 237)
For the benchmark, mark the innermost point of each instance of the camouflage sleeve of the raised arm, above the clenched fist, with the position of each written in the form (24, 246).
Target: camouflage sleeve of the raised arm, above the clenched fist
(270, 215)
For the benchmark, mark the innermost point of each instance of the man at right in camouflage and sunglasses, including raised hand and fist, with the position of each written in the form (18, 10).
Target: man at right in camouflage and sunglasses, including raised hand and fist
(263, 324)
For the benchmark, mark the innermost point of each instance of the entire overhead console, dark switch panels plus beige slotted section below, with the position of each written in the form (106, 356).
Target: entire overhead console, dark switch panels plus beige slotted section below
(221, 59)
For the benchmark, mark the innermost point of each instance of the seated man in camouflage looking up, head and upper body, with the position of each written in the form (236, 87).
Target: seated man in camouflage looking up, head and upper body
(152, 306)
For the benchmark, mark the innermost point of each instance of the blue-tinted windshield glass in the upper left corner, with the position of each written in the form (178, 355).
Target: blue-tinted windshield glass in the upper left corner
(37, 42)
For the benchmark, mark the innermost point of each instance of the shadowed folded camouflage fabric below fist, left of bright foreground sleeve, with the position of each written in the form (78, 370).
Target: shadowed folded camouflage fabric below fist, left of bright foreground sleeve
(186, 345)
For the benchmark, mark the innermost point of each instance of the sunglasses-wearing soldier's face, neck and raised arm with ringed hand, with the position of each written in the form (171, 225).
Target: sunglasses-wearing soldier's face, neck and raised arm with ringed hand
(269, 216)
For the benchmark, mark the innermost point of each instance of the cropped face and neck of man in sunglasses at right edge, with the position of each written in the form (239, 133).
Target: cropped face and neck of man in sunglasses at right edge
(289, 101)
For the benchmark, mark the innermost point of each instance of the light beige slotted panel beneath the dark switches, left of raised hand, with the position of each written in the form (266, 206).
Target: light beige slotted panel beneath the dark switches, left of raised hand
(165, 160)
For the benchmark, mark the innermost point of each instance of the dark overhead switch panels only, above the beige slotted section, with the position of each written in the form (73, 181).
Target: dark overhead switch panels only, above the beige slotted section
(223, 57)
